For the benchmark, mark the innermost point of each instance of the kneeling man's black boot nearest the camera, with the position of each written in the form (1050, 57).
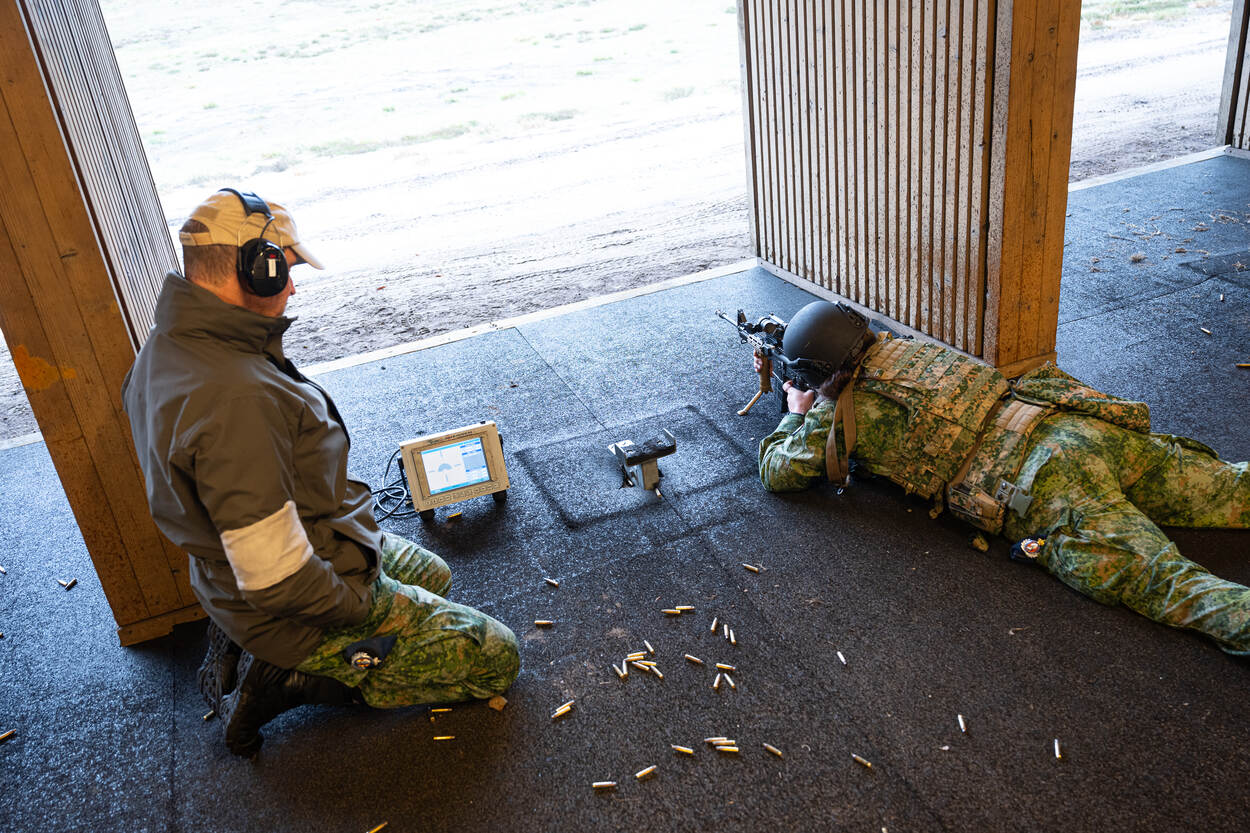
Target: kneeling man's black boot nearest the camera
(266, 692)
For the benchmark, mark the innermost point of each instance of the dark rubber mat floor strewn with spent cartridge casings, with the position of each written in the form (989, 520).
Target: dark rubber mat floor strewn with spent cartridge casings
(1151, 721)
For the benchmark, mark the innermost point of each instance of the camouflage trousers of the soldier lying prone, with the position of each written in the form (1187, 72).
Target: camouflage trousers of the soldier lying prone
(1098, 495)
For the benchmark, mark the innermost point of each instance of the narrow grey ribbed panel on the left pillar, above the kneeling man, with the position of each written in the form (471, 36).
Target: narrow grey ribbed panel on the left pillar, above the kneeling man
(87, 89)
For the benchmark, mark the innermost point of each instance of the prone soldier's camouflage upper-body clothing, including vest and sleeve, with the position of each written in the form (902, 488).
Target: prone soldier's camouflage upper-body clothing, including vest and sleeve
(929, 420)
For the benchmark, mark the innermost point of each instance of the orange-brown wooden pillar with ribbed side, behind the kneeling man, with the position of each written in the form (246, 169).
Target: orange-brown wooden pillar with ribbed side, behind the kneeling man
(63, 305)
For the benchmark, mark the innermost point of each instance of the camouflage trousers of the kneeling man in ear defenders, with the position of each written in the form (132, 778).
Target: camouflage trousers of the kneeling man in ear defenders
(444, 652)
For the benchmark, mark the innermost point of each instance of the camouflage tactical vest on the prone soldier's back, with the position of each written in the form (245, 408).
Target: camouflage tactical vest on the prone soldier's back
(949, 400)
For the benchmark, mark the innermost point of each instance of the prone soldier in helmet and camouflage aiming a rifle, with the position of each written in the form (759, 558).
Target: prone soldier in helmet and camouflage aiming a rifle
(1074, 477)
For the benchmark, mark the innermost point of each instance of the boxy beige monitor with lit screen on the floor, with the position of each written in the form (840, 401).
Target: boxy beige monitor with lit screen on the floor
(454, 466)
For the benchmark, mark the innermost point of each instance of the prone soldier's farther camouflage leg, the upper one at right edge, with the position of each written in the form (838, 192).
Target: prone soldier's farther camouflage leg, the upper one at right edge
(1181, 483)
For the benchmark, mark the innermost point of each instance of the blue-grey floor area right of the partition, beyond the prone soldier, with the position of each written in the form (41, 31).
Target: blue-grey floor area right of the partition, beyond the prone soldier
(1136, 328)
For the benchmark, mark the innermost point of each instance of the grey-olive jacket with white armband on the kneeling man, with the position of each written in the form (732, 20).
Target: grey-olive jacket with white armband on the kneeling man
(246, 467)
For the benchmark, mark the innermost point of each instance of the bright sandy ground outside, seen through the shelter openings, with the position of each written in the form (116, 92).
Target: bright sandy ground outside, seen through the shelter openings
(473, 163)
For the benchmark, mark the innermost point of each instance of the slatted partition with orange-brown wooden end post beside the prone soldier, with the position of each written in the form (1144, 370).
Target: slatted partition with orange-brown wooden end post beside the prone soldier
(889, 144)
